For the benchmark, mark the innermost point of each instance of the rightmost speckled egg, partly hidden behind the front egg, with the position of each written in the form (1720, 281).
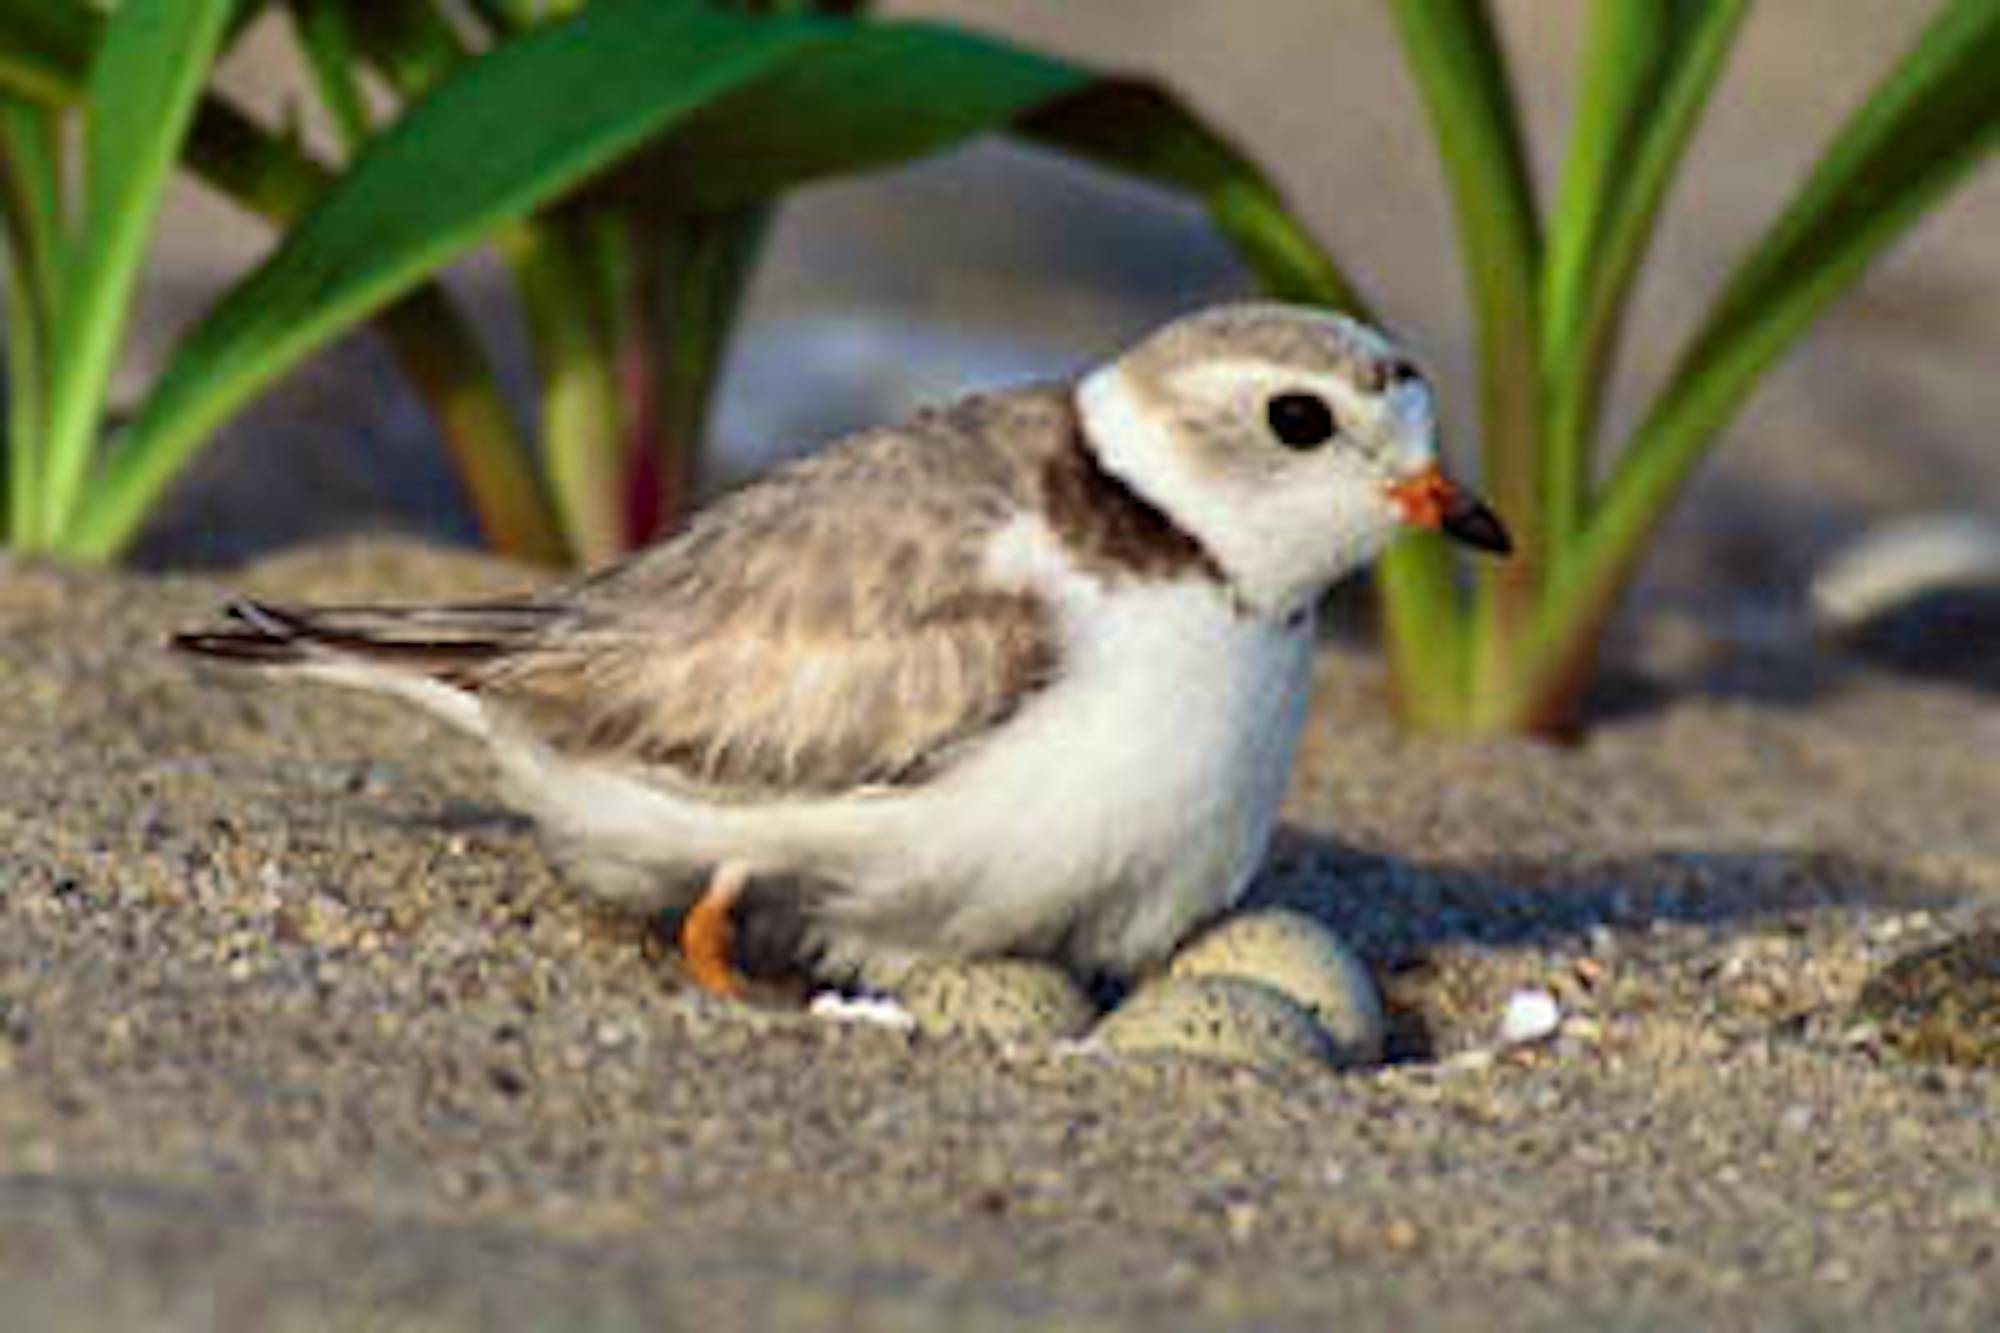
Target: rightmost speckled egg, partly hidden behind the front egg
(1299, 958)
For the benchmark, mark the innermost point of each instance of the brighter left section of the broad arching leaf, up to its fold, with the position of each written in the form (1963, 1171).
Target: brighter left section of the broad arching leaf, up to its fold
(507, 135)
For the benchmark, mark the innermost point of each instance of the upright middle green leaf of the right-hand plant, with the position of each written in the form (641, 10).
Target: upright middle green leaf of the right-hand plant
(1649, 71)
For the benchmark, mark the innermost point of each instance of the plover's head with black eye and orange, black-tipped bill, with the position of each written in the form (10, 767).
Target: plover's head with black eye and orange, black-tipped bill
(1295, 445)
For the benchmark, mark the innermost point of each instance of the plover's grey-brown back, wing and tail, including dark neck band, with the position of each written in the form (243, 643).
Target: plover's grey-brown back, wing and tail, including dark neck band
(821, 631)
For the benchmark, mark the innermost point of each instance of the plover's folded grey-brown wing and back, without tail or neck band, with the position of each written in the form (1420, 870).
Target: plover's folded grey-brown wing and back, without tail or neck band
(821, 631)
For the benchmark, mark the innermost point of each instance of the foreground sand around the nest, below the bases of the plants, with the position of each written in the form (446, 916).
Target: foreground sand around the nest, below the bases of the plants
(297, 1030)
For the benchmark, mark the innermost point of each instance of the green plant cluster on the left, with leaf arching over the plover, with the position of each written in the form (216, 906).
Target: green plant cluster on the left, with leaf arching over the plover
(623, 159)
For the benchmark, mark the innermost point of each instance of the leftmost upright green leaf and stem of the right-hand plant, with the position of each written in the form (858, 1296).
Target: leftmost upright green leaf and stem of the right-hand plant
(1459, 67)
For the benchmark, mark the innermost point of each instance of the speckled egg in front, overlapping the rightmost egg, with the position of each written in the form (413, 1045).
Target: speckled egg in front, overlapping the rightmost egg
(1217, 1018)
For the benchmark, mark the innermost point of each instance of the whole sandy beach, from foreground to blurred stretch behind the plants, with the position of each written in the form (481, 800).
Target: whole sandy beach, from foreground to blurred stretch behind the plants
(299, 1030)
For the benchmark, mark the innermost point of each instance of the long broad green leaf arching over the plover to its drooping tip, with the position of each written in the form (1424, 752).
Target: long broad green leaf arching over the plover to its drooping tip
(739, 107)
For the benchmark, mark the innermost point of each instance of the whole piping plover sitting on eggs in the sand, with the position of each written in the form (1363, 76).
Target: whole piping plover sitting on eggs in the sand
(1021, 676)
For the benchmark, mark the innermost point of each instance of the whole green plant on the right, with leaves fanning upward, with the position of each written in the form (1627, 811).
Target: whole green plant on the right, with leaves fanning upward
(1551, 293)
